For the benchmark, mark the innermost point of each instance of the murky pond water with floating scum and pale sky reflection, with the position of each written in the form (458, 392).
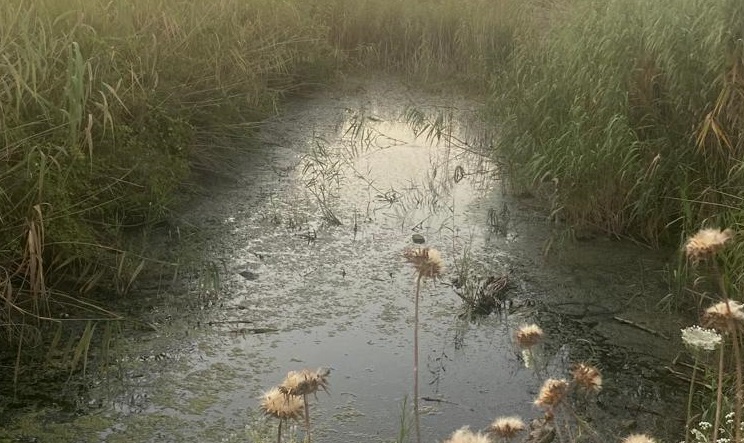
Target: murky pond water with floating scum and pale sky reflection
(301, 266)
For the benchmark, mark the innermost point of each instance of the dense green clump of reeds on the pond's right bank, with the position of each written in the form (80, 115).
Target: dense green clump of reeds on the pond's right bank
(628, 106)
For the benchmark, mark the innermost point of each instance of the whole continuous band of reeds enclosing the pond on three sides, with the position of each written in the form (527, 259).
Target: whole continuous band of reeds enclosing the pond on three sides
(628, 112)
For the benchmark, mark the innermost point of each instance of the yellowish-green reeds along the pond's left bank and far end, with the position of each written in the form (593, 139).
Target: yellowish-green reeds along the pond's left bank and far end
(107, 107)
